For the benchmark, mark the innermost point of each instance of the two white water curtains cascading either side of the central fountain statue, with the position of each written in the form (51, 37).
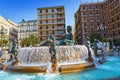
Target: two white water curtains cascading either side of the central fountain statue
(41, 55)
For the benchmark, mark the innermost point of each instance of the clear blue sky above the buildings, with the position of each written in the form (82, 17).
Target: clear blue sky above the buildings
(16, 10)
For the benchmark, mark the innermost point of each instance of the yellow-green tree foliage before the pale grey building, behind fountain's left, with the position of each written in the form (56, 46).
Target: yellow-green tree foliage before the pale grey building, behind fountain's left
(31, 40)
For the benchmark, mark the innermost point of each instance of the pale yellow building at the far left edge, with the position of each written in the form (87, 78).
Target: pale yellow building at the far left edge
(10, 30)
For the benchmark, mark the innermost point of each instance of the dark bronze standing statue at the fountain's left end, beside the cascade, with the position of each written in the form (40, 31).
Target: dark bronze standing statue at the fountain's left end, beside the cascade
(13, 48)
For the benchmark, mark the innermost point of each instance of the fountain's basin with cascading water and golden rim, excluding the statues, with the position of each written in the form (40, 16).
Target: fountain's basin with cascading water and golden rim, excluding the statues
(37, 59)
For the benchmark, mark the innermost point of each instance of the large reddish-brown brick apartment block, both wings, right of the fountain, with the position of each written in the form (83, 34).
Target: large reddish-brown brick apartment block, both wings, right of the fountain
(102, 18)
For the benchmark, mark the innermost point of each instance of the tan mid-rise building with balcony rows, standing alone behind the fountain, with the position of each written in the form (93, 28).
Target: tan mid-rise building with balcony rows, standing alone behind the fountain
(51, 20)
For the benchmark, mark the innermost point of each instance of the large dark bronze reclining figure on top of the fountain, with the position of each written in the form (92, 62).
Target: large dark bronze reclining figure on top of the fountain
(68, 38)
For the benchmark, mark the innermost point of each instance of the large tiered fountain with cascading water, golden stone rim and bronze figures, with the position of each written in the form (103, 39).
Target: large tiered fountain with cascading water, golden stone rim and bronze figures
(53, 59)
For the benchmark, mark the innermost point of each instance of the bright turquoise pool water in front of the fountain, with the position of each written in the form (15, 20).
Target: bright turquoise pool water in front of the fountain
(109, 69)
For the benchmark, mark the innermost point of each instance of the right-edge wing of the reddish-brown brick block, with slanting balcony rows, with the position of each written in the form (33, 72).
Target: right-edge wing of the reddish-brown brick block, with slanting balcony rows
(113, 18)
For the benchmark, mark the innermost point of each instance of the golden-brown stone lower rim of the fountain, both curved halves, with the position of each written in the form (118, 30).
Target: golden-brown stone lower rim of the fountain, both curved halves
(62, 68)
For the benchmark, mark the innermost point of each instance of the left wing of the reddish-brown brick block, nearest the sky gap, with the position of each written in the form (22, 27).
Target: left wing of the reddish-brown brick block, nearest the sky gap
(87, 20)
